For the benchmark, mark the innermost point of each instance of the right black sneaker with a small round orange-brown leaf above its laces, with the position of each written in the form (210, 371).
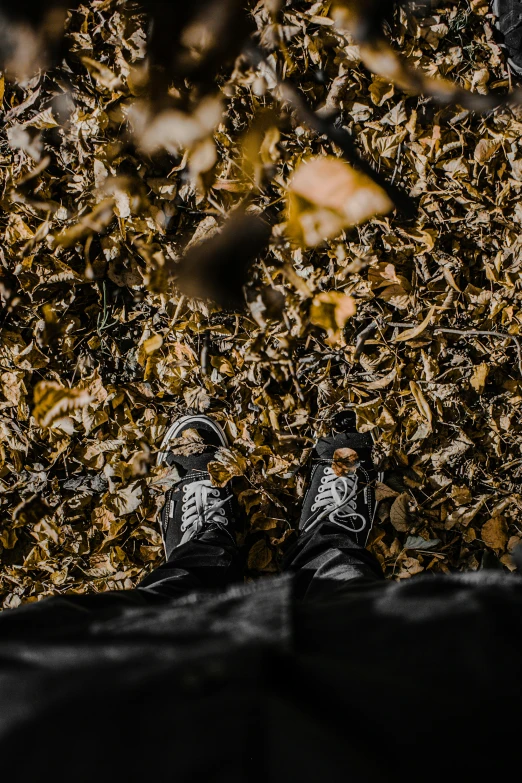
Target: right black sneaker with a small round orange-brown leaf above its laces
(341, 487)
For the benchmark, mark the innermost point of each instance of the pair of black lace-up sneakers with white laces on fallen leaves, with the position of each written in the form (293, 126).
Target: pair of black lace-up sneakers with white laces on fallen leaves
(341, 485)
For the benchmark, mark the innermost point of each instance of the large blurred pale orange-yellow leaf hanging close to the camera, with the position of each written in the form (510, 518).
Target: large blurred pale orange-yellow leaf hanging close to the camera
(326, 195)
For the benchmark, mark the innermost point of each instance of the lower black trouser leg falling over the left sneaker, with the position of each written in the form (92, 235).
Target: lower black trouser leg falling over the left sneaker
(211, 560)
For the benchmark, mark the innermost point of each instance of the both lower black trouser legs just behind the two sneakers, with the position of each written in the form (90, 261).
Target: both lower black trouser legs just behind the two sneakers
(323, 561)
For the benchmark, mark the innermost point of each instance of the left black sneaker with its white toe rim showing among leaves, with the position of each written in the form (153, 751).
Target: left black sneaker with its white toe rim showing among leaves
(193, 506)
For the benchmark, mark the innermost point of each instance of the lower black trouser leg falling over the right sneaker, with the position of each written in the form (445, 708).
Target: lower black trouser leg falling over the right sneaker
(326, 560)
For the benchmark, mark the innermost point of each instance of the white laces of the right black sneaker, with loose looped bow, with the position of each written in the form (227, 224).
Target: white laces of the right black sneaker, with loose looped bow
(336, 498)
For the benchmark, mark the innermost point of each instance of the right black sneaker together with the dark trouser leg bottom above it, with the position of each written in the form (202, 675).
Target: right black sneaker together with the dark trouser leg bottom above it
(338, 510)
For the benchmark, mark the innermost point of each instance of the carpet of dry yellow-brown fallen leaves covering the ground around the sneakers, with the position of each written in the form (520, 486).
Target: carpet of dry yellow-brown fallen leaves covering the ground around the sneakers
(99, 350)
